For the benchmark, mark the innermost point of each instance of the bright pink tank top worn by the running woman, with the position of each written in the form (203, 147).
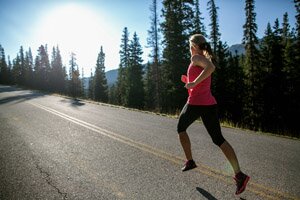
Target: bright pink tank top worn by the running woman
(201, 94)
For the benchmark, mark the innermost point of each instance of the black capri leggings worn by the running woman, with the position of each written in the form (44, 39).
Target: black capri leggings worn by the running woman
(209, 116)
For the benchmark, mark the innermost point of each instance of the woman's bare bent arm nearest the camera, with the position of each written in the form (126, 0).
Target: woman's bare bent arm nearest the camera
(208, 69)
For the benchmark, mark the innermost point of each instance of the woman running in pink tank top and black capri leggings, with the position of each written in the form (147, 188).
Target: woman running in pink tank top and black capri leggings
(202, 104)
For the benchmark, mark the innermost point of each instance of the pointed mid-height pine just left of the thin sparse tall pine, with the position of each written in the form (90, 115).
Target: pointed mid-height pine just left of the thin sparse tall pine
(134, 96)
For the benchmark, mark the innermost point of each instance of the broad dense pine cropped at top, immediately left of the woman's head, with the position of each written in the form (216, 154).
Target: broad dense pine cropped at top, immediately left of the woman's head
(176, 52)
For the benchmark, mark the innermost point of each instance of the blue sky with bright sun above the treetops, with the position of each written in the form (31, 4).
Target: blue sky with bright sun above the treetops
(82, 26)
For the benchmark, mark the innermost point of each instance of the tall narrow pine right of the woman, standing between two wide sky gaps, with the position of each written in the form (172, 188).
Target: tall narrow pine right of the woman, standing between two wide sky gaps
(253, 107)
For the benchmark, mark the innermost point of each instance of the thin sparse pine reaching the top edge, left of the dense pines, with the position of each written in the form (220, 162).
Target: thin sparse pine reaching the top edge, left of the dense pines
(153, 70)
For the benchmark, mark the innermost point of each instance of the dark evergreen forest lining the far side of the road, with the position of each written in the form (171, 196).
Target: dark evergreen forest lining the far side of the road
(258, 90)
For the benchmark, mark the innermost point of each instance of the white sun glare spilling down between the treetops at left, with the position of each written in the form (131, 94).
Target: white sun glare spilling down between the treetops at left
(74, 28)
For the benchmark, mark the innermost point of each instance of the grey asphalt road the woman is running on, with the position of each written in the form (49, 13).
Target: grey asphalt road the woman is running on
(53, 147)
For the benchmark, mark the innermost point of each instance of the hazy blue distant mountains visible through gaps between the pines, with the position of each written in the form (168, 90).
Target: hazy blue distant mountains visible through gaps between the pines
(112, 75)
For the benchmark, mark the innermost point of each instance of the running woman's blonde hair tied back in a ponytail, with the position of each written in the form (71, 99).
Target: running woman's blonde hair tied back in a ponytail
(198, 40)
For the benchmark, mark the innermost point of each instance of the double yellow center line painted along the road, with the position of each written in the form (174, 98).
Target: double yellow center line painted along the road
(263, 191)
